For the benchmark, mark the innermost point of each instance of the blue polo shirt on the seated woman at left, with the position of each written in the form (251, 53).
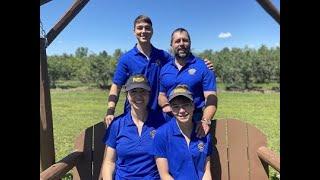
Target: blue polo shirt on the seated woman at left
(134, 160)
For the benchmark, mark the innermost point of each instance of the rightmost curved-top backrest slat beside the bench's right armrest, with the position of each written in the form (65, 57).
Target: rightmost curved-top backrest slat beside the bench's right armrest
(258, 169)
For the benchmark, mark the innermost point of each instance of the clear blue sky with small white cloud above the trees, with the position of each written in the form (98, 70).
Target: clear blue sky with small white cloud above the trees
(212, 24)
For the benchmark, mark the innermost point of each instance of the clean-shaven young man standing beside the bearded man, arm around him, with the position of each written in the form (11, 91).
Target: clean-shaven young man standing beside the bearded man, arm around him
(143, 58)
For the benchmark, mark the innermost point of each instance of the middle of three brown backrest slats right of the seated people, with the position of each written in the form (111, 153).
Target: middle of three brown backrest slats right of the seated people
(237, 152)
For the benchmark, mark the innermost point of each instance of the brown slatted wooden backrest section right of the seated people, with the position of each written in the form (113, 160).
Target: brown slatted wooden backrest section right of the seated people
(235, 151)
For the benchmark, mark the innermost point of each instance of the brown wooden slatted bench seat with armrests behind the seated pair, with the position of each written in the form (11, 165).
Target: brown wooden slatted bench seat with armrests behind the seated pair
(240, 153)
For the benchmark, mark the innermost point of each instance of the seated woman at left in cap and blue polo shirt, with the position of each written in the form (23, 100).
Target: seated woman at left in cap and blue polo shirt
(129, 137)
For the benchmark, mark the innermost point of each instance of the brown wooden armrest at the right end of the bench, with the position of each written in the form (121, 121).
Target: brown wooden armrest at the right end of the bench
(269, 157)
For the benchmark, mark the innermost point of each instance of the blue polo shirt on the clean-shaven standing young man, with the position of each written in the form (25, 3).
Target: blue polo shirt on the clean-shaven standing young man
(134, 62)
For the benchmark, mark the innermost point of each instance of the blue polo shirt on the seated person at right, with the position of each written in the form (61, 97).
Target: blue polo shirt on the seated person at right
(184, 162)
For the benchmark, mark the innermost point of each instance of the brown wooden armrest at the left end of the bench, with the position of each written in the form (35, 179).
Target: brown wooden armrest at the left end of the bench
(58, 170)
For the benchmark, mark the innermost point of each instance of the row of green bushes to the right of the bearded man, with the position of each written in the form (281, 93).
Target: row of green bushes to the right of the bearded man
(241, 68)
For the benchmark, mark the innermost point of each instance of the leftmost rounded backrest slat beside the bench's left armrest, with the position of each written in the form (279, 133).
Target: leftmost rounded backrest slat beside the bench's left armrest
(83, 169)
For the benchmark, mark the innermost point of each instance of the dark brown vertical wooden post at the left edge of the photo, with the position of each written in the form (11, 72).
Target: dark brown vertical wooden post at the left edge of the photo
(47, 155)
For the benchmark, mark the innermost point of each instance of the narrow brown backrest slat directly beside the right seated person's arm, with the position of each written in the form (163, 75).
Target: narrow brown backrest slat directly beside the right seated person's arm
(219, 159)
